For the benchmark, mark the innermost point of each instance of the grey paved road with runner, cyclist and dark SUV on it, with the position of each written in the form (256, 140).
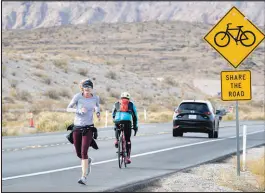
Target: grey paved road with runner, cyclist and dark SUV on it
(47, 162)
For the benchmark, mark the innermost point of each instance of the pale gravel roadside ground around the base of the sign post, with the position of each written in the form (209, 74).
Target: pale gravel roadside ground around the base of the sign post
(217, 177)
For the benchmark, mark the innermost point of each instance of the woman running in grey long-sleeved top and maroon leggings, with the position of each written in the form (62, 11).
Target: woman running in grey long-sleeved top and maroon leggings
(84, 130)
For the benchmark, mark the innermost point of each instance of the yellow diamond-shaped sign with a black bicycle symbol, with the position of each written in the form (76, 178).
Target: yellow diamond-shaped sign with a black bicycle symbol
(234, 37)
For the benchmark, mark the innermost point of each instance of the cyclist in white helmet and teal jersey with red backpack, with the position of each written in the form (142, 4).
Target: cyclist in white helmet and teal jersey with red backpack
(124, 111)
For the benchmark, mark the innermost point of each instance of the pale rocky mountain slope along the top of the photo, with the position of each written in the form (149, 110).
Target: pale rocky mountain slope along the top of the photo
(27, 14)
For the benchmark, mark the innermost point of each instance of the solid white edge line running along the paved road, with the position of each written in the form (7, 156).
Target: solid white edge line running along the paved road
(111, 160)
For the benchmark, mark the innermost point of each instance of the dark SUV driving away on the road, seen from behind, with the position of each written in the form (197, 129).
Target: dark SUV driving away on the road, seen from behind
(196, 116)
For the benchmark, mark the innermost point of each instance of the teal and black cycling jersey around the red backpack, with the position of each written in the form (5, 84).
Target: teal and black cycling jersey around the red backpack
(131, 115)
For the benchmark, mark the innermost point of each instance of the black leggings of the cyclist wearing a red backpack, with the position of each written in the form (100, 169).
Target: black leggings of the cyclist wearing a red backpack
(127, 134)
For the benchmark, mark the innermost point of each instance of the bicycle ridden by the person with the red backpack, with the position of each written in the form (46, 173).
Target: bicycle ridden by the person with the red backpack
(122, 153)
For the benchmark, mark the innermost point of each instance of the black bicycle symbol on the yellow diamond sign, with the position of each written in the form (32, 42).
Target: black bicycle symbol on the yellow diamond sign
(223, 37)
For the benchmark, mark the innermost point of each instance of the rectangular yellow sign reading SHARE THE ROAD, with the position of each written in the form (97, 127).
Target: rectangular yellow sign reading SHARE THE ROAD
(236, 85)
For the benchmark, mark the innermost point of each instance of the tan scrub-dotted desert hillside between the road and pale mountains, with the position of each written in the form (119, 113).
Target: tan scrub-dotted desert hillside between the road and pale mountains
(149, 59)
